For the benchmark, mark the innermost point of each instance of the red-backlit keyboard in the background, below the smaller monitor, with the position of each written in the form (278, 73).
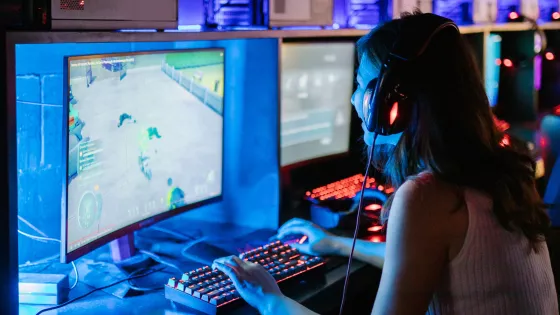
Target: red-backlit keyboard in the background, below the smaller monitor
(345, 188)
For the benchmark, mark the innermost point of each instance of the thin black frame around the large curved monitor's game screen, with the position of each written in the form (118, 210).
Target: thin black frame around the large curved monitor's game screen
(65, 256)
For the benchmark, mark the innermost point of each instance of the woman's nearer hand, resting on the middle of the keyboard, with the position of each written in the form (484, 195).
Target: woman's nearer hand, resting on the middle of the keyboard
(254, 284)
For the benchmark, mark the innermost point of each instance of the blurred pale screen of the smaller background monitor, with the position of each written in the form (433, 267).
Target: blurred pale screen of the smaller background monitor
(317, 84)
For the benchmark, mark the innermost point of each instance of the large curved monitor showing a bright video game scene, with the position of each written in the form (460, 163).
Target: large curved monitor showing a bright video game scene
(144, 142)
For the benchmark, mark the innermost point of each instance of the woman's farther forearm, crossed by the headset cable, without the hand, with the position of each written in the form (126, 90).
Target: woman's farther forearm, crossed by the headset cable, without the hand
(368, 252)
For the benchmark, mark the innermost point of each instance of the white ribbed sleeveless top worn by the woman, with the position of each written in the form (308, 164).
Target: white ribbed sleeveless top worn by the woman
(496, 272)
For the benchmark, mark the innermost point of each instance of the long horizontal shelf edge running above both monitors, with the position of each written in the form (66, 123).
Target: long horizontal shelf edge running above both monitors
(23, 37)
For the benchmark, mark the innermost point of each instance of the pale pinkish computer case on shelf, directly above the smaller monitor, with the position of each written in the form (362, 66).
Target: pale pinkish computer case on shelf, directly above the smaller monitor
(300, 13)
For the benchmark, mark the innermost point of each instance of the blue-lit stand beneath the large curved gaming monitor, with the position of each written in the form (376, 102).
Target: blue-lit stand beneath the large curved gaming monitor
(125, 260)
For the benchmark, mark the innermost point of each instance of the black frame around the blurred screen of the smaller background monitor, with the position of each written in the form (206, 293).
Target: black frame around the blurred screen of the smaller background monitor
(322, 158)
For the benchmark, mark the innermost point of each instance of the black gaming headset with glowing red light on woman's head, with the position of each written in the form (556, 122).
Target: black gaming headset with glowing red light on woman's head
(388, 103)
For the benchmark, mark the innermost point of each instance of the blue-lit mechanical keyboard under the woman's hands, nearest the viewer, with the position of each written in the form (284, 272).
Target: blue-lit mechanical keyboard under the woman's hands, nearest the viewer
(212, 292)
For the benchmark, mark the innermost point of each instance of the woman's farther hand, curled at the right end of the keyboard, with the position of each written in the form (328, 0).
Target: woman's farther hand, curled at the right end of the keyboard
(319, 242)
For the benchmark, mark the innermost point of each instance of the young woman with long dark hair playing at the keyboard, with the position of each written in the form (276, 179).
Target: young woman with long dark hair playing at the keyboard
(466, 226)
